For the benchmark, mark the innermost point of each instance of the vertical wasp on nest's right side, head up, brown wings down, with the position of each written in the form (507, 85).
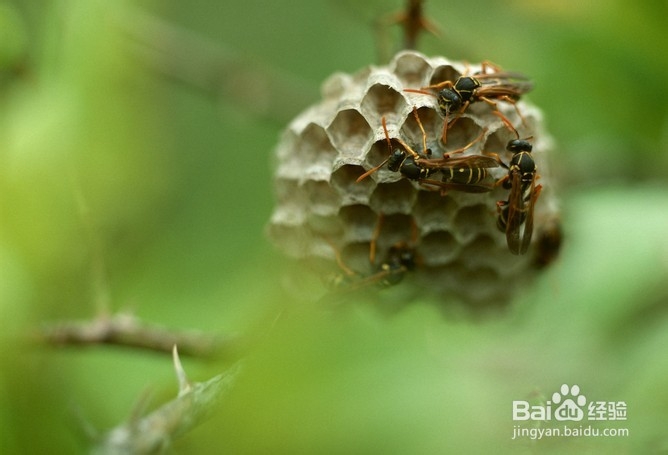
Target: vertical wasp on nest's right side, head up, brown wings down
(518, 209)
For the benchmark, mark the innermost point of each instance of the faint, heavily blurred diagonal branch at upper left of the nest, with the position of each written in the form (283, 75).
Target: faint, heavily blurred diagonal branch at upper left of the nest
(199, 63)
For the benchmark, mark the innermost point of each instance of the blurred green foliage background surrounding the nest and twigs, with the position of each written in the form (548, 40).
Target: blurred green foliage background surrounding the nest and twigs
(135, 150)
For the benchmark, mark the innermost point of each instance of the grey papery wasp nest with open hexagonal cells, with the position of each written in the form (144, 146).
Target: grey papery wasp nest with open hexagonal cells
(321, 209)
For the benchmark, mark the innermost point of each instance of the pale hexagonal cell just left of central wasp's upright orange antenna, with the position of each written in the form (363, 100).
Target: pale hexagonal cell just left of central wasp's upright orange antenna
(350, 133)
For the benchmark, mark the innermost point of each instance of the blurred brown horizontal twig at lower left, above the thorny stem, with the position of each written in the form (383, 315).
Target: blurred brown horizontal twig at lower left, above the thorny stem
(127, 331)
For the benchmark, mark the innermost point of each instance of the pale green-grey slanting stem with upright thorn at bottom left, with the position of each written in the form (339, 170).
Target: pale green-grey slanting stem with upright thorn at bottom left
(154, 432)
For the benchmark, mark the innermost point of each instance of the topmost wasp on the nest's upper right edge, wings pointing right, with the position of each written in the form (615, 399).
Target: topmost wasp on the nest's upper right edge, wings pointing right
(455, 97)
